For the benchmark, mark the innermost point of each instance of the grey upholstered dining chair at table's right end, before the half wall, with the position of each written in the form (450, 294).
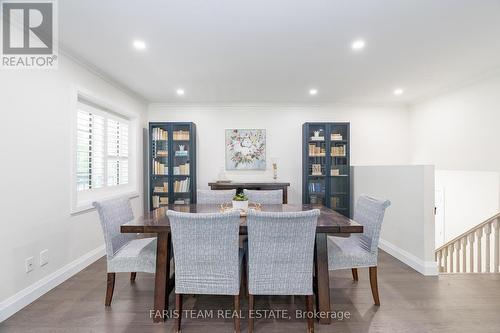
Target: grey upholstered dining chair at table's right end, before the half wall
(360, 250)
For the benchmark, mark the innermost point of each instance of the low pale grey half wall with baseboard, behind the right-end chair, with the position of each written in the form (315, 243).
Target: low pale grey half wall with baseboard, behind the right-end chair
(408, 228)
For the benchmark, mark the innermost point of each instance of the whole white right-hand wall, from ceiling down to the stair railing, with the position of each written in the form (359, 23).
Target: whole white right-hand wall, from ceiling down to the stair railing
(458, 131)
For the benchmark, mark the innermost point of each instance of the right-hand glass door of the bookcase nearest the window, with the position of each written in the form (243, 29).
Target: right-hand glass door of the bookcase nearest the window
(181, 168)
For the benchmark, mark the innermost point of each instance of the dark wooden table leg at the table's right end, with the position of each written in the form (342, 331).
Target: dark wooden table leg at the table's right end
(323, 282)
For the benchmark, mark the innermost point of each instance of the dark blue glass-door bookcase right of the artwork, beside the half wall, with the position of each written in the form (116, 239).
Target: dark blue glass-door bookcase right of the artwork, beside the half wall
(326, 178)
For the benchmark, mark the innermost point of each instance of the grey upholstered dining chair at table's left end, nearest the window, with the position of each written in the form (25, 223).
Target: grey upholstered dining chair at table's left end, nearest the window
(124, 252)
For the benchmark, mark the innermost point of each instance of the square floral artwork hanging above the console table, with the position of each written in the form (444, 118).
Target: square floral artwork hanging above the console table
(245, 149)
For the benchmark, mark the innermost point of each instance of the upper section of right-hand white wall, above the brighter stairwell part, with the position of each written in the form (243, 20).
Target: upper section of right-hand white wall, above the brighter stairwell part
(459, 130)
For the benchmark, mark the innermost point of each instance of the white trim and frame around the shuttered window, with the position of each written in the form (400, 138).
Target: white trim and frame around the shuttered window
(81, 201)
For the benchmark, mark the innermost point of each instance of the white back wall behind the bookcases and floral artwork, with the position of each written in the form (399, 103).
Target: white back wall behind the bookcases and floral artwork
(379, 135)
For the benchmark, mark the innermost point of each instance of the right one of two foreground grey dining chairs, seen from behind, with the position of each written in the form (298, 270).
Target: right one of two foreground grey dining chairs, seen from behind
(280, 256)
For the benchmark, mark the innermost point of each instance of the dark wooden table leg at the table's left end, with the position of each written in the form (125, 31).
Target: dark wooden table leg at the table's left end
(160, 277)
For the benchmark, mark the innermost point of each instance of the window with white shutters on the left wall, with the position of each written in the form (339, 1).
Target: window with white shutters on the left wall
(102, 152)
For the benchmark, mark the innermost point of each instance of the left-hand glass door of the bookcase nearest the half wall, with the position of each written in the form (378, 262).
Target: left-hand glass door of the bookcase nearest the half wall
(316, 164)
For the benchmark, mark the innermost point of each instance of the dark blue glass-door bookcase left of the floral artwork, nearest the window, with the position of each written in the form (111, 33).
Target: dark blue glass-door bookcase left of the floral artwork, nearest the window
(172, 163)
